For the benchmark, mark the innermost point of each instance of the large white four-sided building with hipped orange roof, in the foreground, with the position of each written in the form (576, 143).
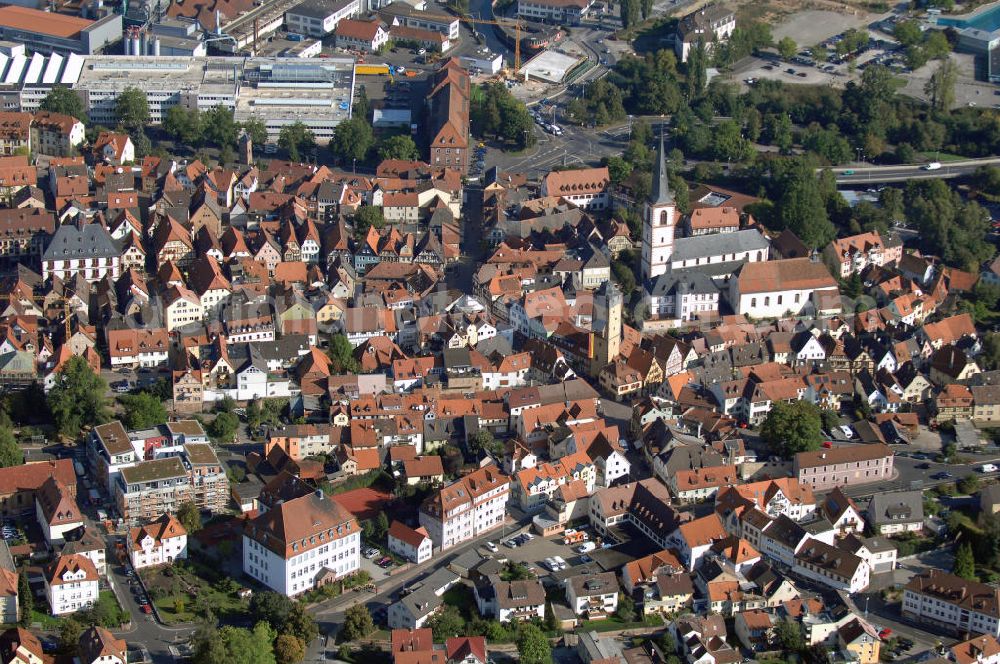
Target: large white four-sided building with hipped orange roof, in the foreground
(301, 544)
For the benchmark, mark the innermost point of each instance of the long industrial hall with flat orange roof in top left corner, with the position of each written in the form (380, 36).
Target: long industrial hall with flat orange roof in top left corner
(49, 32)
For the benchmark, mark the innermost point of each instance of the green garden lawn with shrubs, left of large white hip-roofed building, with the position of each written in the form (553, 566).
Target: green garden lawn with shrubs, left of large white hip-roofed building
(181, 595)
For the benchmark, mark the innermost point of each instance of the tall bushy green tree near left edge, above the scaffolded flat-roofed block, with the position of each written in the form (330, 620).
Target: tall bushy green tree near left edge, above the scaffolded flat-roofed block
(78, 397)
